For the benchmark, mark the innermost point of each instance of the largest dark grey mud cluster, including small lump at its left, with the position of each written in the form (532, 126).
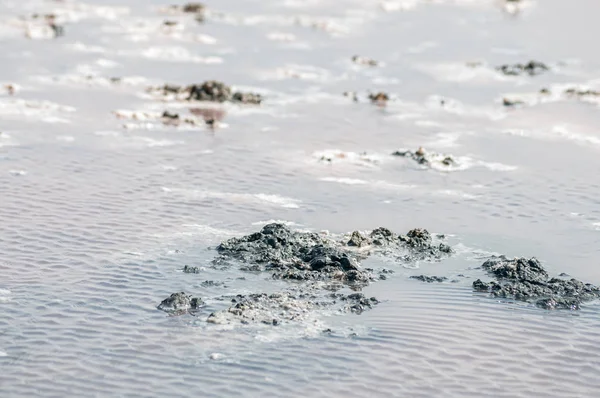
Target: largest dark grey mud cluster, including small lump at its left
(319, 269)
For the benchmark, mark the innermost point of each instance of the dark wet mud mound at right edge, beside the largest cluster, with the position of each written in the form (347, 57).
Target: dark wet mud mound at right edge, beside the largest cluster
(526, 280)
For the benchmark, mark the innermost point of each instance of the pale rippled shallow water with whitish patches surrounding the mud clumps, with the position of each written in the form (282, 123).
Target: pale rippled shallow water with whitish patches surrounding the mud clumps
(98, 219)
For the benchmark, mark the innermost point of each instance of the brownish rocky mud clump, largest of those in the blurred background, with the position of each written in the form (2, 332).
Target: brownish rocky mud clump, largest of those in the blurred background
(210, 91)
